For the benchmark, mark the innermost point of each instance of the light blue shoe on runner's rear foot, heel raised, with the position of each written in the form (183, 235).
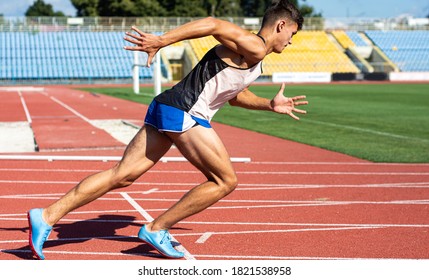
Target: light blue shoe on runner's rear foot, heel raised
(39, 232)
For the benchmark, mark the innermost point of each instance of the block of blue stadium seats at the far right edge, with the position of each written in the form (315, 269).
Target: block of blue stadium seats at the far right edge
(409, 50)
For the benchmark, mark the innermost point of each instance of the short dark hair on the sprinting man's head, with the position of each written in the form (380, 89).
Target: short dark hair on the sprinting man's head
(282, 9)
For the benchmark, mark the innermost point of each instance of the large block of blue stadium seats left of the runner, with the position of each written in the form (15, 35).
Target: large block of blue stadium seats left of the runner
(66, 55)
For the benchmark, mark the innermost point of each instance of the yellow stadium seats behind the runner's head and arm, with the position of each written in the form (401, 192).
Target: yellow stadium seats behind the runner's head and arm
(311, 51)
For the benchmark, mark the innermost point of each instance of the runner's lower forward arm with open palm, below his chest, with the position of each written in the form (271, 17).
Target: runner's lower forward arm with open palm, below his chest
(279, 104)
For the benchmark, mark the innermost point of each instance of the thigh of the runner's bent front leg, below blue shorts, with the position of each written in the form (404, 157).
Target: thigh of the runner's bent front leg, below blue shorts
(205, 150)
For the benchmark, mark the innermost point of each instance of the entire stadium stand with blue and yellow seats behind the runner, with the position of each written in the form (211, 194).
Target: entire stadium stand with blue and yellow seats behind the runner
(50, 50)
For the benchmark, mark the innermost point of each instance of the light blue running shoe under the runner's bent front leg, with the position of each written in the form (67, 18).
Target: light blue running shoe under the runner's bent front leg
(160, 241)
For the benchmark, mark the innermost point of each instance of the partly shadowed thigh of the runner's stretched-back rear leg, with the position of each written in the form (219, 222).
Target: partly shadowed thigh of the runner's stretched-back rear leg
(144, 150)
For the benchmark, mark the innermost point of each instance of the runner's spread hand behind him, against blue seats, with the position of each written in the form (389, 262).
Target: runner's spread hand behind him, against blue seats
(144, 42)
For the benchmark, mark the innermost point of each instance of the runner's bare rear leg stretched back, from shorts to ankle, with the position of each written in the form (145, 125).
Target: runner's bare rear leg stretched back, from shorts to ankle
(147, 147)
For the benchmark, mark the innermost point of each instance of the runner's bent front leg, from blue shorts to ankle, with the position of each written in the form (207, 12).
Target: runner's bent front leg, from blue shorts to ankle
(204, 149)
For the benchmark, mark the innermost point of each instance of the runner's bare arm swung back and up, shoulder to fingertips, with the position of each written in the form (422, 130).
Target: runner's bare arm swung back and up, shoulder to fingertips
(230, 35)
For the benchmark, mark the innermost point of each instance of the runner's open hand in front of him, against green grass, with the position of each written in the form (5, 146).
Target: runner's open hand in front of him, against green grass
(284, 105)
